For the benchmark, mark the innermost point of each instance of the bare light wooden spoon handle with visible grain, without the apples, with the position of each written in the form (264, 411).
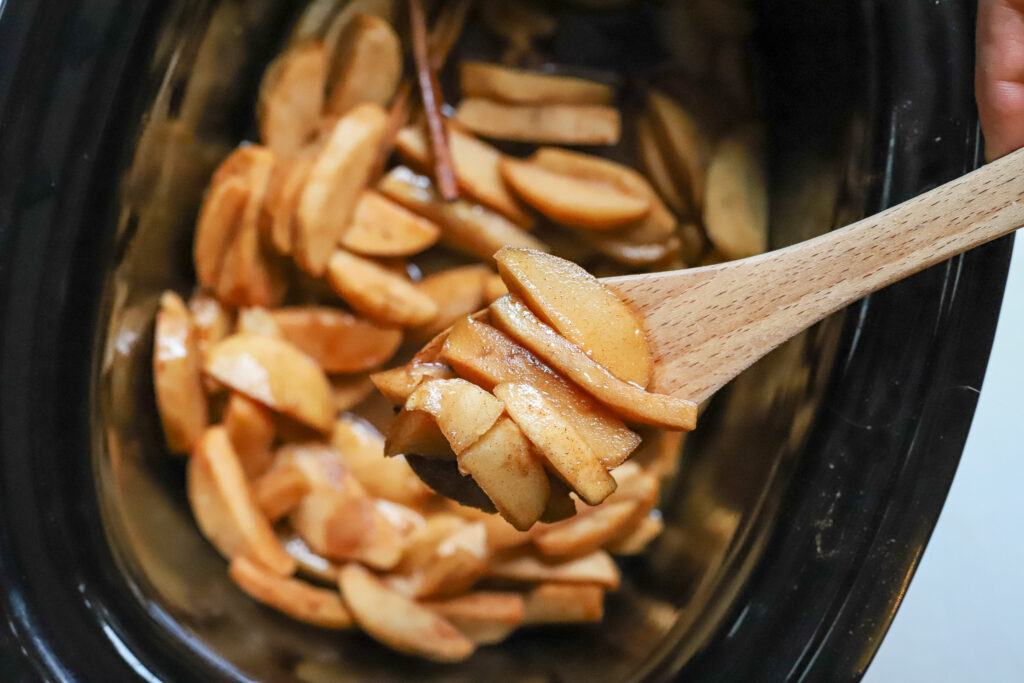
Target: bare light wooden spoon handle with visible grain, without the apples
(707, 325)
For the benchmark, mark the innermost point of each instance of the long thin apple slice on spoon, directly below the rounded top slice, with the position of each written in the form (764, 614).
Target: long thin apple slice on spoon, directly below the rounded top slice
(630, 401)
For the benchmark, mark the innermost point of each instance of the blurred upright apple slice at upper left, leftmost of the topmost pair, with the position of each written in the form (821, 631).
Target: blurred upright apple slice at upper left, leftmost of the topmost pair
(291, 99)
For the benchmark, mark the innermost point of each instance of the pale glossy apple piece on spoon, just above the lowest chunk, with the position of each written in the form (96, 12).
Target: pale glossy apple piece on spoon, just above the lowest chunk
(463, 411)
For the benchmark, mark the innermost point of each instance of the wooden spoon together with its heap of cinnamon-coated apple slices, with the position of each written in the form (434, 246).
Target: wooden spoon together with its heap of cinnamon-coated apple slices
(519, 405)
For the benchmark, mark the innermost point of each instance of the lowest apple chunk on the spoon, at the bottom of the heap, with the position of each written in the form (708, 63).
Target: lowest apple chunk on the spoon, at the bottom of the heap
(504, 464)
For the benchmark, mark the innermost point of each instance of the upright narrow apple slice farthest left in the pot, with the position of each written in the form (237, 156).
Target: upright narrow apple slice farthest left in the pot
(177, 375)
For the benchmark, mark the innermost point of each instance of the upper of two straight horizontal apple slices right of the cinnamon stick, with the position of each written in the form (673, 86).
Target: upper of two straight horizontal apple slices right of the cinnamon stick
(523, 88)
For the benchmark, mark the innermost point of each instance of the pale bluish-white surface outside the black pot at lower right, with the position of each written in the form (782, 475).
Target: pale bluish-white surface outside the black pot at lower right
(963, 619)
